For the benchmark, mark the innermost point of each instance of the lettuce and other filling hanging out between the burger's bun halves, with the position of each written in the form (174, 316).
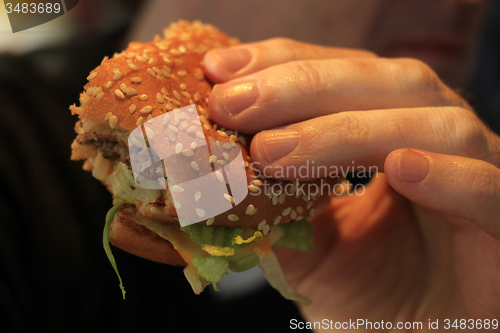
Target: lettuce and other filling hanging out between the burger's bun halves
(209, 251)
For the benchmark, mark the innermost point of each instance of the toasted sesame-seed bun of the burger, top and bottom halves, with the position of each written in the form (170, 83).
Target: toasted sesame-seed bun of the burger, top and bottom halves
(145, 81)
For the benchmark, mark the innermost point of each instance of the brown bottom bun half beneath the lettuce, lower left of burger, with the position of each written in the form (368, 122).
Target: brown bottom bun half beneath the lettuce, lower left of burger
(136, 239)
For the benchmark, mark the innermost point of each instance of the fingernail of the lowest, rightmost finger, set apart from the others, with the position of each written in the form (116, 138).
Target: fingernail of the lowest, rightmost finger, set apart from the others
(413, 167)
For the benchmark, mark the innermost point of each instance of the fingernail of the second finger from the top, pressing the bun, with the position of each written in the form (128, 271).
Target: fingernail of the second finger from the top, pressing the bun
(235, 97)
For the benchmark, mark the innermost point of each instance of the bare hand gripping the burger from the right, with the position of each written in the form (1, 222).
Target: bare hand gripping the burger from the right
(422, 242)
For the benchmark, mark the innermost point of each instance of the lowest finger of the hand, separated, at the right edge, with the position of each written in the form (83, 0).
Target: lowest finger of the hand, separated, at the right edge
(454, 185)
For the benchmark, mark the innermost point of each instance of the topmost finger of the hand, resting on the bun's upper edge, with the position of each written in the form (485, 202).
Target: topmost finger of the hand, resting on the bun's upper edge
(225, 64)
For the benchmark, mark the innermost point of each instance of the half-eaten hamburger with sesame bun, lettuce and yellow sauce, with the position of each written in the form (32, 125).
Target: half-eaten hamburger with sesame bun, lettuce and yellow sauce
(163, 80)
